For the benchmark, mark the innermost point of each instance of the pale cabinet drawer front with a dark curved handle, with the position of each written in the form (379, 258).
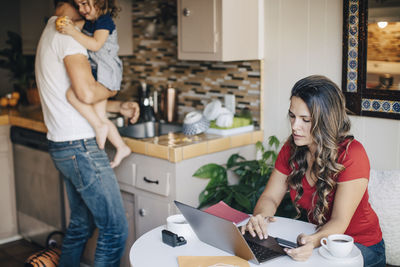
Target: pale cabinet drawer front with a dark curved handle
(154, 181)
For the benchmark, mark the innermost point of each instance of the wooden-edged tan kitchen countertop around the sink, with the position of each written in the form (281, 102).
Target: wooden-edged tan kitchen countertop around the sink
(172, 147)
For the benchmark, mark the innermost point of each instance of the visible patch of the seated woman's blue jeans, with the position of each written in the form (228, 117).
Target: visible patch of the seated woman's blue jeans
(374, 256)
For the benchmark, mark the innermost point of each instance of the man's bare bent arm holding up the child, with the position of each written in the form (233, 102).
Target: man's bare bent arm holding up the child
(85, 87)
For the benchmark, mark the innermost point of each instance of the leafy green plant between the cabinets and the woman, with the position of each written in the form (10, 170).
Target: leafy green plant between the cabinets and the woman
(253, 176)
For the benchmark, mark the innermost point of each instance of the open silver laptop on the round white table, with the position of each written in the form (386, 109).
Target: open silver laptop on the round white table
(225, 235)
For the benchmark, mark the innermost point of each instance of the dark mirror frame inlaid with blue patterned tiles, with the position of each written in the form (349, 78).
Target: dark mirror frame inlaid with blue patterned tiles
(359, 100)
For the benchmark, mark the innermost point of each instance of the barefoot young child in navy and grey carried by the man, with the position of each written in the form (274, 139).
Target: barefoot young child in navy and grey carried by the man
(99, 36)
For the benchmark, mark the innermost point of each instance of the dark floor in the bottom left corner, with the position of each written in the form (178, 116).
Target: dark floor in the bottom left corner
(15, 253)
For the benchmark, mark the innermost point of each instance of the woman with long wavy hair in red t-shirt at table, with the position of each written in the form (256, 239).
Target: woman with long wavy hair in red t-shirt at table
(326, 171)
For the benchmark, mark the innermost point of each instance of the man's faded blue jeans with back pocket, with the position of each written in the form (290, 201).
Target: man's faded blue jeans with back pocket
(95, 201)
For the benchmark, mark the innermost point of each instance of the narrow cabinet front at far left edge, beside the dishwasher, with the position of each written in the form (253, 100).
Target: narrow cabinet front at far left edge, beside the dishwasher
(8, 219)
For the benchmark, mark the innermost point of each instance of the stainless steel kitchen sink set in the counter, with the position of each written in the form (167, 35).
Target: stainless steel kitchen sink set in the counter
(149, 129)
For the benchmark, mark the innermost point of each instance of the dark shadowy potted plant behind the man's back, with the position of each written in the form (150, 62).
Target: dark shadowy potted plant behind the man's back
(21, 68)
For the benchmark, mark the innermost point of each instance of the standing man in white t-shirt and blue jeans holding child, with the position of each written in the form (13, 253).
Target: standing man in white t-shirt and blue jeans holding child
(93, 192)
